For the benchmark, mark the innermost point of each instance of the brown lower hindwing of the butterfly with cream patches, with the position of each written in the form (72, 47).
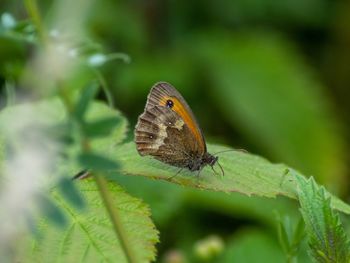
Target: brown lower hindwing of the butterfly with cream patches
(163, 134)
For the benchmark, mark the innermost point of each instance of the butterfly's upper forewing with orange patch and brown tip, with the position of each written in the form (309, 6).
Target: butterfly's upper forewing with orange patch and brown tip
(160, 94)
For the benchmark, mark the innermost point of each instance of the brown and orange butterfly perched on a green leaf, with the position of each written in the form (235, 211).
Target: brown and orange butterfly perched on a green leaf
(168, 131)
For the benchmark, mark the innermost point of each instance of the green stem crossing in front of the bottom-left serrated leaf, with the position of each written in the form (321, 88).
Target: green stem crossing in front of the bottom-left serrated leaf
(115, 217)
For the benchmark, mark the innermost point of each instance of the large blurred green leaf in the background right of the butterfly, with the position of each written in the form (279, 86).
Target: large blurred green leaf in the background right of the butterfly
(265, 89)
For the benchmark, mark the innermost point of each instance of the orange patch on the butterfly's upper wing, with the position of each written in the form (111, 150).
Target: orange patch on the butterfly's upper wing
(186, 117)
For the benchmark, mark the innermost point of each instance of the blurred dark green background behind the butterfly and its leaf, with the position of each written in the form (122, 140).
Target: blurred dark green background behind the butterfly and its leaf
(271, 77)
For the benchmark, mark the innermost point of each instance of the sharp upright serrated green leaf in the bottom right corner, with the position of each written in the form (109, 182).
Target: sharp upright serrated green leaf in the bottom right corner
(327, 237)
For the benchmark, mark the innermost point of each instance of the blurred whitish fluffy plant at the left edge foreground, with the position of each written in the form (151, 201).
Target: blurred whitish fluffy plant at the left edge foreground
(28, 157)
